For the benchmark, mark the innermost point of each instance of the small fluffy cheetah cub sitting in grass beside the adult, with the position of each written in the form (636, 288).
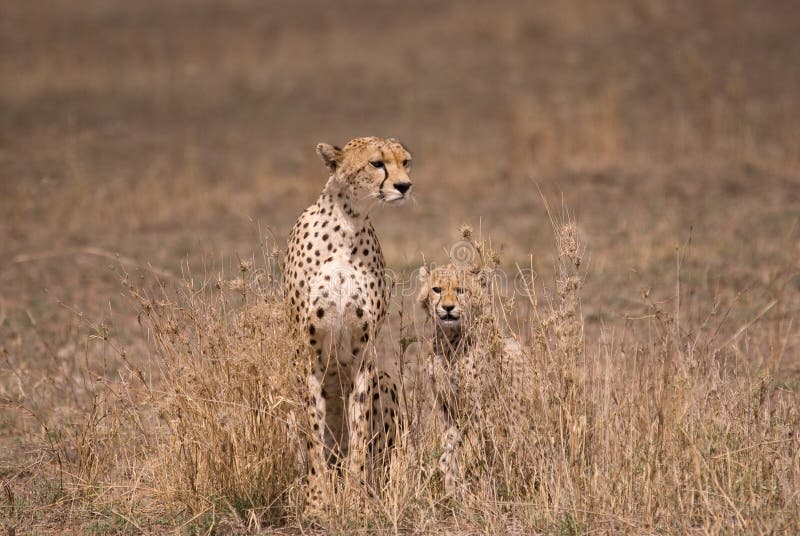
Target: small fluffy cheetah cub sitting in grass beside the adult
(467, 341)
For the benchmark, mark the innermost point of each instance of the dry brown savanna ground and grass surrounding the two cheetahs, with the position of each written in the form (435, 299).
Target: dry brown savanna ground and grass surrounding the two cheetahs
(148, 148)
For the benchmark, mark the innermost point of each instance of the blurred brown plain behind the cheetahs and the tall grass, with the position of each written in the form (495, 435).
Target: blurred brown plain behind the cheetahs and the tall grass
(180, 135)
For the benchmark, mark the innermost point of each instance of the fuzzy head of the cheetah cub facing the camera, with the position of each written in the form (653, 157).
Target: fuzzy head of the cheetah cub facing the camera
(451, 294)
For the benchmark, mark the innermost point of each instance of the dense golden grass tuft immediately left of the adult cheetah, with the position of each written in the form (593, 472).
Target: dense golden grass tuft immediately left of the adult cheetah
(228, 444)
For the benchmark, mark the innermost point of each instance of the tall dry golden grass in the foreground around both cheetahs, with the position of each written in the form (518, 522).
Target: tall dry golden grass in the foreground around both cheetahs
(657, 429)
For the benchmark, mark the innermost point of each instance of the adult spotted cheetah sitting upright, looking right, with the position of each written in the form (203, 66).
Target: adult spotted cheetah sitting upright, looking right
(337, 296)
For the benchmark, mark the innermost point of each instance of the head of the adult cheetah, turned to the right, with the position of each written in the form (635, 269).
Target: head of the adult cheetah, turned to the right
(369, 170)
